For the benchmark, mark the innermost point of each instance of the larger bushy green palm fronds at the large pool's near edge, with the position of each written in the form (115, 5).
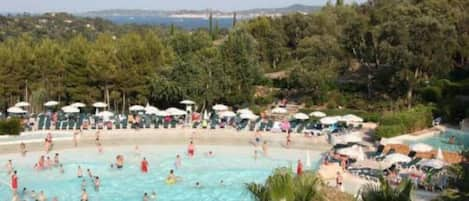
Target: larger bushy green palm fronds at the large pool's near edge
(286, 186)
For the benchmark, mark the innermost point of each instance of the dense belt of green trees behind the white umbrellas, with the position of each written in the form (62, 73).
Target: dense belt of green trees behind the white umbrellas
(383, 55)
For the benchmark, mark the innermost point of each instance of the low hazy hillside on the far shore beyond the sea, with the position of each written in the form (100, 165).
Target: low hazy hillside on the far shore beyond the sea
(202, 13)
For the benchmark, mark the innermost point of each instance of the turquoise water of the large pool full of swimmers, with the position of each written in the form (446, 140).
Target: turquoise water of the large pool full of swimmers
(234, 165)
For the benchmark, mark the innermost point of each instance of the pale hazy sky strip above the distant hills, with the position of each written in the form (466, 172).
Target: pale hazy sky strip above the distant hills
(89, 5)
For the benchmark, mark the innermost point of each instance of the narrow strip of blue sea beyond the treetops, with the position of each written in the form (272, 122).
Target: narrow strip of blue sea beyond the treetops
(185, 23)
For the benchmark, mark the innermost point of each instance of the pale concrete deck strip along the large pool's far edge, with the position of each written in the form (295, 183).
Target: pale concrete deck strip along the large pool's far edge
(164, 137)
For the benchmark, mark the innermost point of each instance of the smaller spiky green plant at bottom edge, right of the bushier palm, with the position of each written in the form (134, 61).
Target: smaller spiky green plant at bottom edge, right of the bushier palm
(385, 192)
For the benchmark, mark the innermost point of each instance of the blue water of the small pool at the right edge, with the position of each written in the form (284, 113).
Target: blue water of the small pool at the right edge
(441, 140)
